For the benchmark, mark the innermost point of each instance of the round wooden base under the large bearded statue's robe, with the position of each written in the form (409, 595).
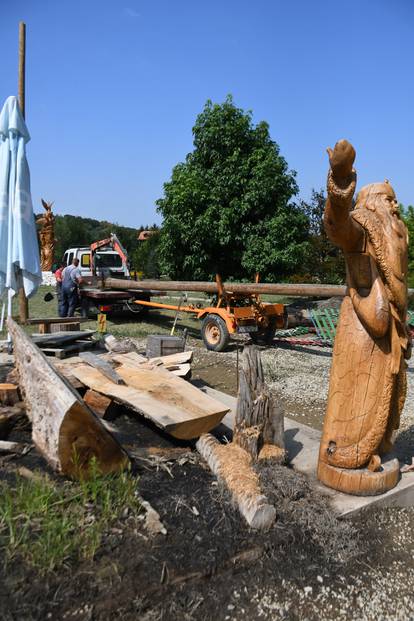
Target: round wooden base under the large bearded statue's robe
(361, 481)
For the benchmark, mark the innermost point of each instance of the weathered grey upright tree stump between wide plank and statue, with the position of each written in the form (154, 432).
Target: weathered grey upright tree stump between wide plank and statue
(259, 427)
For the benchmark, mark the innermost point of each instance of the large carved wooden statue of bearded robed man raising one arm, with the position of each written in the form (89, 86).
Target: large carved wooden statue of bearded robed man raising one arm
(368, 375)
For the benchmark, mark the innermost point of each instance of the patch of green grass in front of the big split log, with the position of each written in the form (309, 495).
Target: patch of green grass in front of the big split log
(47, 524)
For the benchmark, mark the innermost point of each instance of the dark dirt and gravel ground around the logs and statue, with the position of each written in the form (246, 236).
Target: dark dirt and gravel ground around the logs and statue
(209, 565)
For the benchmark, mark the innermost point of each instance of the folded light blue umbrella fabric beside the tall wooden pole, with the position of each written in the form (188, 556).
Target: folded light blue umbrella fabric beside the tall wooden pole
(19, 248)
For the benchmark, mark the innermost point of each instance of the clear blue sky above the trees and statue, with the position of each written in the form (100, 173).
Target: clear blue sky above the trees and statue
(113, 89)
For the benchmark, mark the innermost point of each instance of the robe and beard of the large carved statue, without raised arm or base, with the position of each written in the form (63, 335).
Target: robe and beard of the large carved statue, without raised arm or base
(368, 374)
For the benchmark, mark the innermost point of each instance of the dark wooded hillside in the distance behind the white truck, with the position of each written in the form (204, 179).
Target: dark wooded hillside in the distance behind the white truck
(77, 231)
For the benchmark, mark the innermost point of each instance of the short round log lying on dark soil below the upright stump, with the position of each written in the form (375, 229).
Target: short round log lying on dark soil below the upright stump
(233, 466)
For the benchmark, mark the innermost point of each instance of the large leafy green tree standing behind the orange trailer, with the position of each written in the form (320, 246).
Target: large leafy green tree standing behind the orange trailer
(226, 208)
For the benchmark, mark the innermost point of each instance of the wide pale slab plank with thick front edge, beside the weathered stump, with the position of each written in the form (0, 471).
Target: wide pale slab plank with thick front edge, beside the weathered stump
(170, 402)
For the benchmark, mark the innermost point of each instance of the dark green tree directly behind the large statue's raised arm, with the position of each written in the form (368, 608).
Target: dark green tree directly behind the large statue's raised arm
(324, 262)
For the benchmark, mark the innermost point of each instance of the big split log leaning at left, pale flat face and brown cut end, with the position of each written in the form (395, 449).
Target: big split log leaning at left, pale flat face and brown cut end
(64, 428)
